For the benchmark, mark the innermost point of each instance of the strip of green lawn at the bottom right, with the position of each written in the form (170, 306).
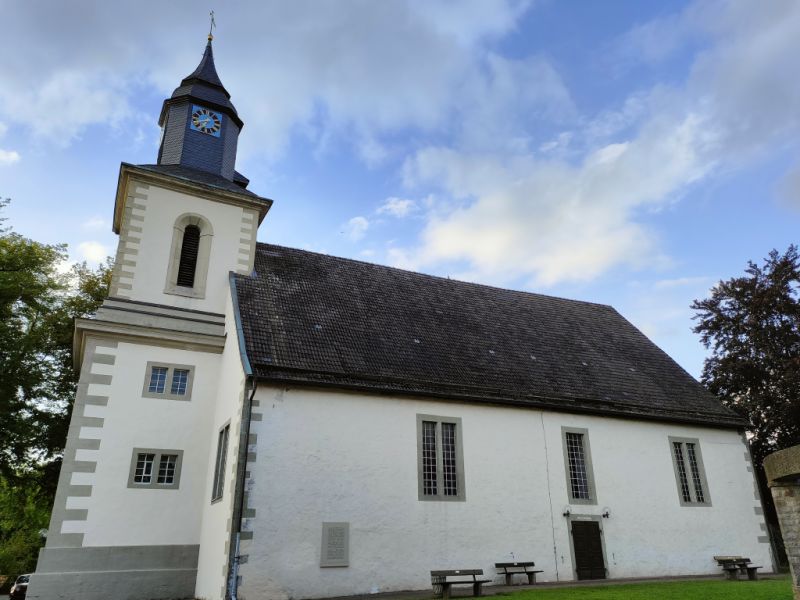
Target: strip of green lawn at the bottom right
(766, 589)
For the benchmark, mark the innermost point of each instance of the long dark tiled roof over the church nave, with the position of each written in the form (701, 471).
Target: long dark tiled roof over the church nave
(313, 319)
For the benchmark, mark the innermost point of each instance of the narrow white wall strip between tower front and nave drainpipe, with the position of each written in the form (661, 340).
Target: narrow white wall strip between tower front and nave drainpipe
(216, 524)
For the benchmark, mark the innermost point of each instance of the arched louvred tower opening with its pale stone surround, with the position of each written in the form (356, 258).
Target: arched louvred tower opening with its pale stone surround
(191, 249)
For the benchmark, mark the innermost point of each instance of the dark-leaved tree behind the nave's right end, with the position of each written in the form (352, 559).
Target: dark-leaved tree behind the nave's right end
(752, 326)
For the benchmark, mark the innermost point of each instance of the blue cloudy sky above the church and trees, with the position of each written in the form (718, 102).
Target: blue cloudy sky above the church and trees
(628, 153)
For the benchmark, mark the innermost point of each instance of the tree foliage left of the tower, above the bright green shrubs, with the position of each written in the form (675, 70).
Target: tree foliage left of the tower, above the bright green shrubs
(38, 305)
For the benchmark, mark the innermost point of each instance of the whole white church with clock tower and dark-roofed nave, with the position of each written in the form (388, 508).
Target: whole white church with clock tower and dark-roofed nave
(260, 422)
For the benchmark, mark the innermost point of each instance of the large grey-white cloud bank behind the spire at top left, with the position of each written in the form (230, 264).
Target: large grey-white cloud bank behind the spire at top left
(322, 70)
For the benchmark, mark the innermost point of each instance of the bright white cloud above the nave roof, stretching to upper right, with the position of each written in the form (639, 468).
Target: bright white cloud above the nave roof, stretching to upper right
(516, 215)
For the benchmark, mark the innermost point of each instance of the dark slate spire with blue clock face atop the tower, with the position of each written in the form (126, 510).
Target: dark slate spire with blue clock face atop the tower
(211, 147)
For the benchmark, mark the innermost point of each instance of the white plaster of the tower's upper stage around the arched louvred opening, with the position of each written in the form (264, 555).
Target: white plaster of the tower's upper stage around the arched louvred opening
(146, 250)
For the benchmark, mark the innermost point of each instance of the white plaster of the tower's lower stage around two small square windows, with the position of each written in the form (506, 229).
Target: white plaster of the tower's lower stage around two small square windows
(122, 516)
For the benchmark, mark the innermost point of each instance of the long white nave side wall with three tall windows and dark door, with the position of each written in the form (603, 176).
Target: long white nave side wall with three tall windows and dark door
(331, 456)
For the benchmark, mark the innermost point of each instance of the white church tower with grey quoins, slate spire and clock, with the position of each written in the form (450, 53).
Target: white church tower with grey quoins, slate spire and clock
(144, 500)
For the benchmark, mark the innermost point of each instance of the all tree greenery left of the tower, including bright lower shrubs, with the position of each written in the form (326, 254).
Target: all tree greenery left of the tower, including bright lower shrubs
(39, 301)
